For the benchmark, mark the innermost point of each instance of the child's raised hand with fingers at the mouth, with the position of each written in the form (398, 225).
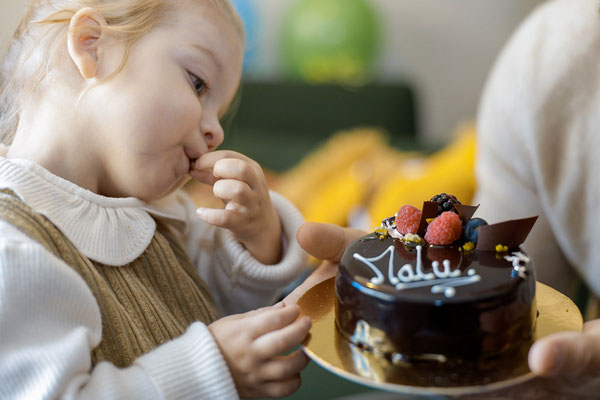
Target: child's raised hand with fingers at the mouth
(240, 182)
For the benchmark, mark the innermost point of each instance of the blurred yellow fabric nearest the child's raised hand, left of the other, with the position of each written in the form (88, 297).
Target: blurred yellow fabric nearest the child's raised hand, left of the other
(339, 176)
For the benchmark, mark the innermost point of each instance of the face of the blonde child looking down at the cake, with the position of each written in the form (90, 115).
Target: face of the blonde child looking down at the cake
(158, 114)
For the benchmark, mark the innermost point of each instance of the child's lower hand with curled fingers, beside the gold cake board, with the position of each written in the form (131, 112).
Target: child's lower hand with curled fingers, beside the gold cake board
(252, 344)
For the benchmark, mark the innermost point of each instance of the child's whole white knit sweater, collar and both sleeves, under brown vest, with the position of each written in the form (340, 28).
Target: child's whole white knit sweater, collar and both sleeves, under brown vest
(50, 321)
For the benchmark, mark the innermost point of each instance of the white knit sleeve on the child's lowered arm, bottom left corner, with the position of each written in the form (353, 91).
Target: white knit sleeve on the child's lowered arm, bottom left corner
(50, 322)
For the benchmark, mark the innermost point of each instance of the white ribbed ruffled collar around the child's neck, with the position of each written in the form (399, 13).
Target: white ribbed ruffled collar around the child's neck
(113, 231)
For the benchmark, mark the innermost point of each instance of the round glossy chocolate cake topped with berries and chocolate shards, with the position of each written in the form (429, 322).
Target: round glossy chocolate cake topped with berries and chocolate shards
(410, 300)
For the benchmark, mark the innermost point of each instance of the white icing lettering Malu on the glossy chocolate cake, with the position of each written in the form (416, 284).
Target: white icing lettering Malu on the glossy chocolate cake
(441, 279)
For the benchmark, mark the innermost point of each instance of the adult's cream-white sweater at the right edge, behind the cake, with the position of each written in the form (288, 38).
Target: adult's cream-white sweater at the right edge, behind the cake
(539, 138)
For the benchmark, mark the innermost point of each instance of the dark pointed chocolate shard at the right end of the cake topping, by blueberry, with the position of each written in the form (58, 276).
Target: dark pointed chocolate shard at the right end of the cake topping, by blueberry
(510, 233)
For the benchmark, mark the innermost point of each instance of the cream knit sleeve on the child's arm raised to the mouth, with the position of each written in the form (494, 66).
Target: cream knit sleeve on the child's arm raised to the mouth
(238, 281)
